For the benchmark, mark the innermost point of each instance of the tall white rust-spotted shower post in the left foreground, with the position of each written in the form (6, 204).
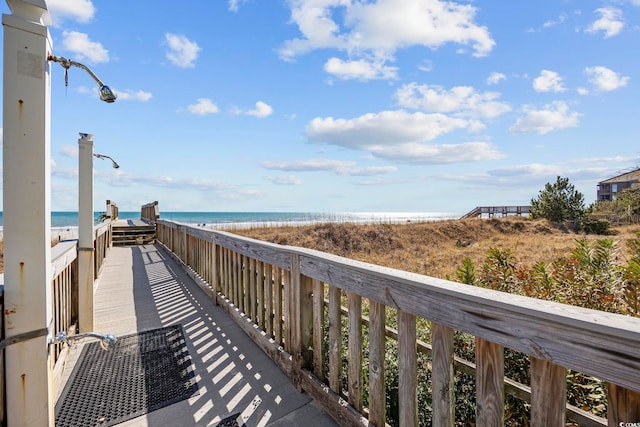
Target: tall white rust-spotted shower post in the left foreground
(26, 159)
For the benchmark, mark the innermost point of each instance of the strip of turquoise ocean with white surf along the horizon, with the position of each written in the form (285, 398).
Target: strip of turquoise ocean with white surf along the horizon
(64, 219)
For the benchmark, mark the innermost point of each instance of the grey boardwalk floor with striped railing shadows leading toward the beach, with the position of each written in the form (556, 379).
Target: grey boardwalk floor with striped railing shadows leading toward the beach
(142, 288)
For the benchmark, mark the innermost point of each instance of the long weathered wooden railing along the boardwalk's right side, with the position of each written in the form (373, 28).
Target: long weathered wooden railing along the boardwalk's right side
(290, 301)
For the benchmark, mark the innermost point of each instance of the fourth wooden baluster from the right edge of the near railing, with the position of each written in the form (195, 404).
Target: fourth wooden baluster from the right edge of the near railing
(442, 375)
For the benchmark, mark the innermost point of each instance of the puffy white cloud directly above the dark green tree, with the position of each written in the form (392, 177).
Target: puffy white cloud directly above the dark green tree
(552, 117)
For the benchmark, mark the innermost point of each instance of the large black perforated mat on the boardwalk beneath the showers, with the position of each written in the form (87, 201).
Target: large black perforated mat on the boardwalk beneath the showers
(141, 373)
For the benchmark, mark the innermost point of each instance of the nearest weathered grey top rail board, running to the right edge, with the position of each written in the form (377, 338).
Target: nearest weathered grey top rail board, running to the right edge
(596, 343)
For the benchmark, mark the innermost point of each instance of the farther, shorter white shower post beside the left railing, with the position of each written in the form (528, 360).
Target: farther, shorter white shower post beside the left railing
(85, 232)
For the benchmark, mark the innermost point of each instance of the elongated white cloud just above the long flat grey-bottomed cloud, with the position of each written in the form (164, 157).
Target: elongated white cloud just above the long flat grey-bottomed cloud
(463, 100)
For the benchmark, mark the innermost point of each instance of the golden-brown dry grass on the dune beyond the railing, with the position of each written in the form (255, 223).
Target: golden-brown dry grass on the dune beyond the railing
(437, 248)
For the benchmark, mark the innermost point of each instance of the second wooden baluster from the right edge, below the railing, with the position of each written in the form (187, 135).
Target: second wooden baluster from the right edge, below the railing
(548, 394)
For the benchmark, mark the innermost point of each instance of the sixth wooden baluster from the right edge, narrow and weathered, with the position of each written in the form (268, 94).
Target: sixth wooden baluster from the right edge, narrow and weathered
(377, 392)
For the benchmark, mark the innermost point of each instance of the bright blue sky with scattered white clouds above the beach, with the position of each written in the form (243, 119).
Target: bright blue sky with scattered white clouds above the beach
(344, 105)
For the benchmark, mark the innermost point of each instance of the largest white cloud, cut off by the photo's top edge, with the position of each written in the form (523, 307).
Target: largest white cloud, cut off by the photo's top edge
(378, 29)
